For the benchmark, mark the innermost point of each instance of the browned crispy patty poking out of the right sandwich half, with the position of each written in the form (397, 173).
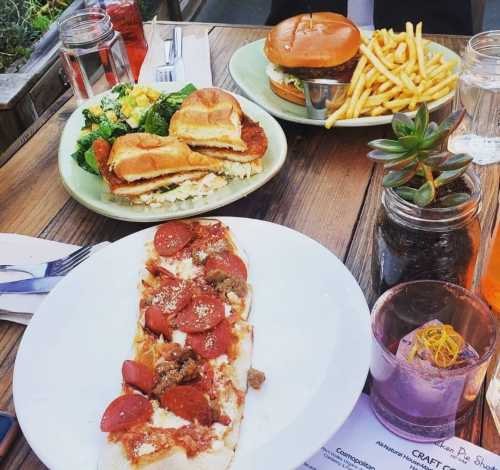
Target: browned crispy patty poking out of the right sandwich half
(255, 139)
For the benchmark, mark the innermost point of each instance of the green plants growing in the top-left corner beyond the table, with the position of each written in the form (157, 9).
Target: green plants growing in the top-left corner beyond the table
(22, 23)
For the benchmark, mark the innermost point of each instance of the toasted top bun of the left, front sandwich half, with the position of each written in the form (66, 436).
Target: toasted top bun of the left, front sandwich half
(142, 156)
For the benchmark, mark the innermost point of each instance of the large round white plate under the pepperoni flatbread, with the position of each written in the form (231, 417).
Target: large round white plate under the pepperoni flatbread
(312, 339)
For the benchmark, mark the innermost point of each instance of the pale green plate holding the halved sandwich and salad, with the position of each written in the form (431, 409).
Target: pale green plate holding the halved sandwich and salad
(88, 189)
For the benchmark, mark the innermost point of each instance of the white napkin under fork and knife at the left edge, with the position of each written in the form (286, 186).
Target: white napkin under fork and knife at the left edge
(20, 249)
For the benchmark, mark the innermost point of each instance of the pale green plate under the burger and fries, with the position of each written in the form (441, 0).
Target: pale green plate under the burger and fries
(248, 69)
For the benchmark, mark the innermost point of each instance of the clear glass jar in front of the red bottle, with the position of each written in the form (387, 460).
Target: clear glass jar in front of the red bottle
(93, 54)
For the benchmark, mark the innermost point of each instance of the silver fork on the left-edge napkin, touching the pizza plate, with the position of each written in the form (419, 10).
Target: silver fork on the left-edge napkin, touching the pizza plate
(58, 267)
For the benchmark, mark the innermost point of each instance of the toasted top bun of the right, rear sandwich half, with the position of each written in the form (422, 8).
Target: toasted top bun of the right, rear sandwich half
(209, 117)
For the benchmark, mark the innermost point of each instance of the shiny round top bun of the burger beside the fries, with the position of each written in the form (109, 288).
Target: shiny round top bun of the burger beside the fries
(329, 39)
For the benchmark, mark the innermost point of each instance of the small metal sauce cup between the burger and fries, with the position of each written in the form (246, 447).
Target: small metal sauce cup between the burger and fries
(324, 96)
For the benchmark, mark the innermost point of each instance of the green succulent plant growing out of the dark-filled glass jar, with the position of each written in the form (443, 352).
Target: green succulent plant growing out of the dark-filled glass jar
(414, 166)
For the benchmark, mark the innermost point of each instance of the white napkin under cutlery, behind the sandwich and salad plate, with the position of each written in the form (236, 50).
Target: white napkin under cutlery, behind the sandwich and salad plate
(195, 53)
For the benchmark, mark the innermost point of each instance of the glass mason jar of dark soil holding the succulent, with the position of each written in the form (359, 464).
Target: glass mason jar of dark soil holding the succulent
(412, 243)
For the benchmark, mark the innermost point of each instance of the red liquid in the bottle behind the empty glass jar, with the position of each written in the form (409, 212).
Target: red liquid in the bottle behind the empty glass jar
(126, 19)
